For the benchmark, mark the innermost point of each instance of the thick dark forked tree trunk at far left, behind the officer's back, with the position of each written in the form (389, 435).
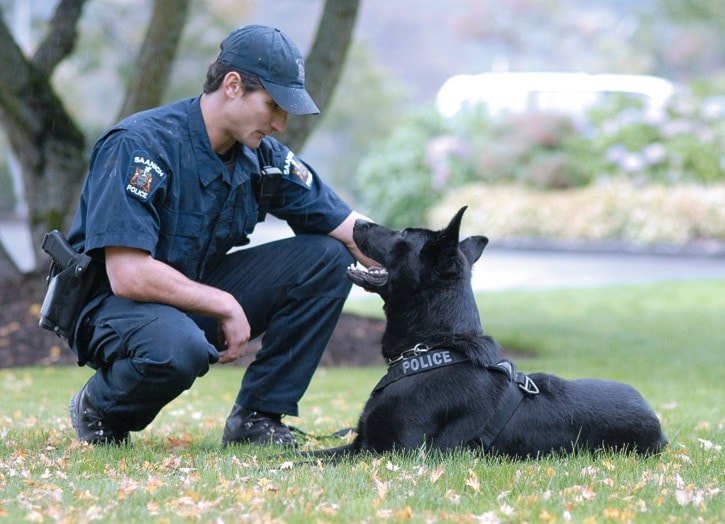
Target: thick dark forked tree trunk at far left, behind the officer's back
(44, 138)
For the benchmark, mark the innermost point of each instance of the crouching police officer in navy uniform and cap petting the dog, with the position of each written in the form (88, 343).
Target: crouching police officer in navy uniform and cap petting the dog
(169, 192)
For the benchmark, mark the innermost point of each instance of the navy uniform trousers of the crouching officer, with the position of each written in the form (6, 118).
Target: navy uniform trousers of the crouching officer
(146, 354)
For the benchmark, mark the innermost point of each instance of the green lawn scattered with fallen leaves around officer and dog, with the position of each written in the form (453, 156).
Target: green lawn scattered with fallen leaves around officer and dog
(666, 339)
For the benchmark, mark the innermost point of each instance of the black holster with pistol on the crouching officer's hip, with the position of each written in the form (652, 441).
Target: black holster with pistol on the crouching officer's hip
(72, 278)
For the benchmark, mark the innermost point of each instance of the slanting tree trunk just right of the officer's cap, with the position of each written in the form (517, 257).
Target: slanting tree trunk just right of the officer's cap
(323, 65)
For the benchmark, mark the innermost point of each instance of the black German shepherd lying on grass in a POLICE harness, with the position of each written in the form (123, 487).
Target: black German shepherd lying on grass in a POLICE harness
(448, 387)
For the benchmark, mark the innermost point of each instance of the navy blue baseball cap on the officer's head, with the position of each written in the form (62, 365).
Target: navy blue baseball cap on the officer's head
(269, 54)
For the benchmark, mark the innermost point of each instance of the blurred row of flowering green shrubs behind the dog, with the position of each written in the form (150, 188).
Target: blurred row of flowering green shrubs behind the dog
(427, 157)
